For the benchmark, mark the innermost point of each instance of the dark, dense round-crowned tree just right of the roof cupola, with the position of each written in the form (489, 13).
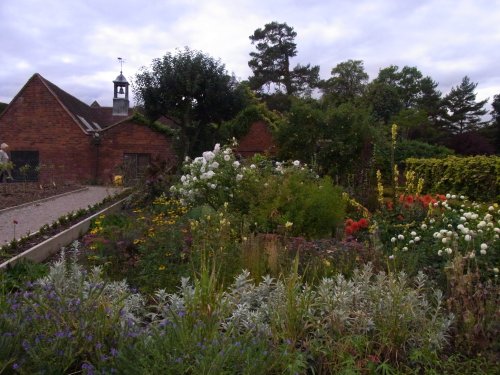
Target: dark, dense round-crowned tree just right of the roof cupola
(194, 90)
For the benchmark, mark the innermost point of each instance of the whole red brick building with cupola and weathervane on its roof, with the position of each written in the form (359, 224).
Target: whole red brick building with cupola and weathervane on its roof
(65, 140)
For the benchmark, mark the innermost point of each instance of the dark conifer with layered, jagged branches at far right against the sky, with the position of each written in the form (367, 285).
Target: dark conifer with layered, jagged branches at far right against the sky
(462, 112)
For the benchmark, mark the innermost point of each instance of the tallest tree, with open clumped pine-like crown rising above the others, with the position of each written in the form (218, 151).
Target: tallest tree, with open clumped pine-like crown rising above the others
(271, 66)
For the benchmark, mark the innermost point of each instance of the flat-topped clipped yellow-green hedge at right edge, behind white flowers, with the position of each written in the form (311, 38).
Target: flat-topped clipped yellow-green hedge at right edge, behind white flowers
(477, 177)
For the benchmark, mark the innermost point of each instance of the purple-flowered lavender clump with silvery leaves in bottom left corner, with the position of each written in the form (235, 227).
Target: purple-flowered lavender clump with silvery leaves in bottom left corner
(68, 321)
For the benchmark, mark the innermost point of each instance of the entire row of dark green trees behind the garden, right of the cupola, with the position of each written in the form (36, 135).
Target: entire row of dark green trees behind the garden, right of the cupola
(340, 124)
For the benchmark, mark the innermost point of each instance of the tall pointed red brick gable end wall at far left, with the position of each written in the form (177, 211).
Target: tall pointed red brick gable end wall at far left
(35, 121)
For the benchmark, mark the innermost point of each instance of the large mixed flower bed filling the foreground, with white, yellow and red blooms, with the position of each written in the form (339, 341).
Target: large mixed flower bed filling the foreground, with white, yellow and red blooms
(237, 280)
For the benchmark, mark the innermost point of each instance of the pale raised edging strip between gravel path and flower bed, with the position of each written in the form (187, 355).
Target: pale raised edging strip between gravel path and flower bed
(45, 249)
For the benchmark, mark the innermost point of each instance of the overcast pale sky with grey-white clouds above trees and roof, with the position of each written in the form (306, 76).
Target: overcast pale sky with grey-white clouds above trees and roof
(75, 43)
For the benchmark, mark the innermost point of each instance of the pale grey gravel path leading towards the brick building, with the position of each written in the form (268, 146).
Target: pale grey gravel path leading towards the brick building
(32, 217)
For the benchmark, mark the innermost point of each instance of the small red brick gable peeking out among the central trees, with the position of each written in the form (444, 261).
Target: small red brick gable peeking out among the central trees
(258, 140)
